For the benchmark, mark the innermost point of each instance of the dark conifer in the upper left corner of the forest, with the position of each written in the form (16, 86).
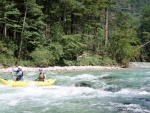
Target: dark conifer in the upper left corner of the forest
(8, 19)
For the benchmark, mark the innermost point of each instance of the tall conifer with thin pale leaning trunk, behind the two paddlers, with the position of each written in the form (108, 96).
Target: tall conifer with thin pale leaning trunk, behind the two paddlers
(32, 32)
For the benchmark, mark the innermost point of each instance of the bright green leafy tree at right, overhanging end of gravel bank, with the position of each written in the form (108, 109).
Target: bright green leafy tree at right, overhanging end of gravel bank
(123, 39)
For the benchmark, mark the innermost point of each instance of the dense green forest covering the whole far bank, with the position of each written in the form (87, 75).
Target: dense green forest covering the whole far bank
(74, 32)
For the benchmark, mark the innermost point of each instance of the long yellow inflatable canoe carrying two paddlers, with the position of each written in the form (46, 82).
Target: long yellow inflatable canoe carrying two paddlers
(12, 83)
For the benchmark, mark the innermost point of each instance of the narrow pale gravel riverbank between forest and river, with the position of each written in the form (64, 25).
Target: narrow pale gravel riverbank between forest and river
(65, 68)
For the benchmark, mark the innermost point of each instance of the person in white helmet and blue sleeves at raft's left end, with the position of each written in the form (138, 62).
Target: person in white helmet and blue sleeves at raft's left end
(19, 74)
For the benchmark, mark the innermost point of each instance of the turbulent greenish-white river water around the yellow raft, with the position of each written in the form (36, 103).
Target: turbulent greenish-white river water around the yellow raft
(109, 91)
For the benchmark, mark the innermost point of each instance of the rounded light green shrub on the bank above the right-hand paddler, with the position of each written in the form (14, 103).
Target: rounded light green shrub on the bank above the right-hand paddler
(45, 56)
